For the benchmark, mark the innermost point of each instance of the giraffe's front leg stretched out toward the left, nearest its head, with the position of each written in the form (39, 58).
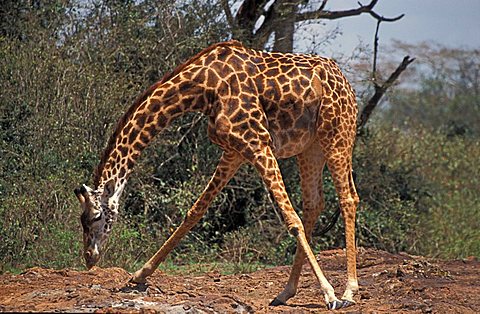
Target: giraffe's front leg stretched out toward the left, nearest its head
(226, 169)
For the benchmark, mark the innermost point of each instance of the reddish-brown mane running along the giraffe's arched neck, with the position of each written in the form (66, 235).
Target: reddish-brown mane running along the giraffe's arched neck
(140, 99)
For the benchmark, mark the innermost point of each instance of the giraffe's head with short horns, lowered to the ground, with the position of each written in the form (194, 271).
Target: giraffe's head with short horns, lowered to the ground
(97, 219)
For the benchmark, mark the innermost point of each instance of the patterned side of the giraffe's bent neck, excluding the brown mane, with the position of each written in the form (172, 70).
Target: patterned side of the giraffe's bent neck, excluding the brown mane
(149, 115)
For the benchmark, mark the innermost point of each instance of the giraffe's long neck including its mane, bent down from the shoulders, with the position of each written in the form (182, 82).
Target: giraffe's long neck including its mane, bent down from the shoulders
(190, 87)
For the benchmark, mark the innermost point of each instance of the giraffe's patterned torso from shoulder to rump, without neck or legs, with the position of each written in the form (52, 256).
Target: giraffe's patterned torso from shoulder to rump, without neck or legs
(291, 95)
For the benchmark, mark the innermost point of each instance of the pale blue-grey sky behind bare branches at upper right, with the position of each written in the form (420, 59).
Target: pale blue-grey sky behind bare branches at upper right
(452, 23)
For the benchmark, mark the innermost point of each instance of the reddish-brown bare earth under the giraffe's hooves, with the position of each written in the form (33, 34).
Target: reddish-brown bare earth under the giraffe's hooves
(389, 284)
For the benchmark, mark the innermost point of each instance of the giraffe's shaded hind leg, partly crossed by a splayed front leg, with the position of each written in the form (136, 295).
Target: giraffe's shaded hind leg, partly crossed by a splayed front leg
(310, 163)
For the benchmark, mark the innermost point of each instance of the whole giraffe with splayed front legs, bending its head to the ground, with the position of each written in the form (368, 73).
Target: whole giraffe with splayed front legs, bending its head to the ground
(260, 107)
